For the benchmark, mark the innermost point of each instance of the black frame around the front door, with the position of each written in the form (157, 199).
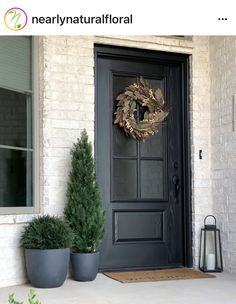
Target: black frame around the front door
(107, 51)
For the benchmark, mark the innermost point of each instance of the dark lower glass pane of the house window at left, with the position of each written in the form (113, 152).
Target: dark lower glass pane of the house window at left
(15, 178)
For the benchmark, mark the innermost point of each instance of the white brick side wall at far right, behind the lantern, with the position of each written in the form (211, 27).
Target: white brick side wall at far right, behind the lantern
(223, 142)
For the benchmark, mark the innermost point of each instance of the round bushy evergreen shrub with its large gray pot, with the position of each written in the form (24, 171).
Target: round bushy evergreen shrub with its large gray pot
(47, 241)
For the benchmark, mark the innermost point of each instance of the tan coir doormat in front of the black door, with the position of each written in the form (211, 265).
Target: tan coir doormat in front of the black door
(158, 275)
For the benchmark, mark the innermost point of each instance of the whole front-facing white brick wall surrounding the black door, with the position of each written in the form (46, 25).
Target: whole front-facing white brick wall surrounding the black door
(66, 93)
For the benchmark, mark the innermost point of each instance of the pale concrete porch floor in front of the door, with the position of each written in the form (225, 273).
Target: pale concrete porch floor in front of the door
(104, 290)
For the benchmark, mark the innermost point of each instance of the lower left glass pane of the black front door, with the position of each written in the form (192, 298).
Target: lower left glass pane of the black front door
(125, 179)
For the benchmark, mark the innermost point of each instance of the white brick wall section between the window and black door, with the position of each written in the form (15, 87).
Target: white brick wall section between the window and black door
(69, 84)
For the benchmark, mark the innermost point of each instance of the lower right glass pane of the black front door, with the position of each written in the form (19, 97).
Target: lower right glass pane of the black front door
(152, 175)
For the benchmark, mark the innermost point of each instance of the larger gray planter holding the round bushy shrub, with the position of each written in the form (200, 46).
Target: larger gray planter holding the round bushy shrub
(47, 268)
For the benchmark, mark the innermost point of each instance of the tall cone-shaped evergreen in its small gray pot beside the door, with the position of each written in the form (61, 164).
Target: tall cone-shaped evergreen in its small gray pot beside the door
(84, 211)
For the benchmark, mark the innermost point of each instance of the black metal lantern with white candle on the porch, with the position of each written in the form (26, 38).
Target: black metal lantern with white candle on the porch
(210, 255)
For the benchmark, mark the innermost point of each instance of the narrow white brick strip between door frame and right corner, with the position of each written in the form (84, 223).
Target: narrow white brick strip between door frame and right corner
(200, 117)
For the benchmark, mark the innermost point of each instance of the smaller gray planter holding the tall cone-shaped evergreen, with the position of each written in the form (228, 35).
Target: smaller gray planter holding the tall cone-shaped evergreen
(85, 266)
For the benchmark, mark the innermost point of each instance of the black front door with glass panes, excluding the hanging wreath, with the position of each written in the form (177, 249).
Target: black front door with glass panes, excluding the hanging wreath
(143, 183)
